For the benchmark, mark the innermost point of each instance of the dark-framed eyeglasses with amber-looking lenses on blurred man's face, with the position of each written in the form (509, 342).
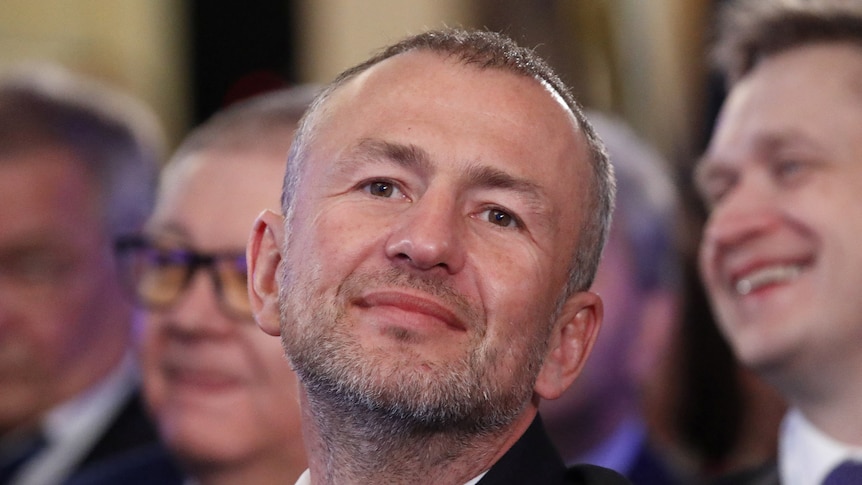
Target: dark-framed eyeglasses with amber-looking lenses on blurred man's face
(159, 275)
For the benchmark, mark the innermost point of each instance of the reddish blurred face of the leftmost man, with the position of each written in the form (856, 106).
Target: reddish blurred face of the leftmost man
(59, 296)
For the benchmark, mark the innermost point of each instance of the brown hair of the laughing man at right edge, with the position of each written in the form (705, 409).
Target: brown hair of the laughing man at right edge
(751, 30)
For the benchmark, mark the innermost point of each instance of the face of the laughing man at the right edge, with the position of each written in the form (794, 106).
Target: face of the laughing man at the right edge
(780, 255)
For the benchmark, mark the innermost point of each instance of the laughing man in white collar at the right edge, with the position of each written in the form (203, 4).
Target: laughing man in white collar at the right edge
(780, 256)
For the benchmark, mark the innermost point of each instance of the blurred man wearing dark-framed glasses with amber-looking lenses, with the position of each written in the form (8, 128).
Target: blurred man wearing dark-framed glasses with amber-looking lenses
(223, 396)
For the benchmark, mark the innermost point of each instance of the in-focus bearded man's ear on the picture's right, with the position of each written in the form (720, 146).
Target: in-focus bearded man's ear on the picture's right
(572, 338)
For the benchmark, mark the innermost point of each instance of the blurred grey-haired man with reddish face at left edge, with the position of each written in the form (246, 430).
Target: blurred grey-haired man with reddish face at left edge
(78, 164)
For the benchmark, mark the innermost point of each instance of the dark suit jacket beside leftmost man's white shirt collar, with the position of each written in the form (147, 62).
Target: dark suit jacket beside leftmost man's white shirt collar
(131, 431)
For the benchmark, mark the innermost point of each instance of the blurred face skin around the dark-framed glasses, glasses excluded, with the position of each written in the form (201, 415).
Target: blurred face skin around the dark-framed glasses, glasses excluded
(221, 389)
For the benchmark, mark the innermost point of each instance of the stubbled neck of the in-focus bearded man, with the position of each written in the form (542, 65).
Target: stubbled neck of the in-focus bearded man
(362, 447)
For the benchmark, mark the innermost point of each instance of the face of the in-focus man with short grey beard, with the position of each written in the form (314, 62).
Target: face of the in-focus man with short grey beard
(434, 226)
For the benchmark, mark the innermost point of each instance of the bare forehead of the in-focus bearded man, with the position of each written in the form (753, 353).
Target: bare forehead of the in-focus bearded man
(456, 112)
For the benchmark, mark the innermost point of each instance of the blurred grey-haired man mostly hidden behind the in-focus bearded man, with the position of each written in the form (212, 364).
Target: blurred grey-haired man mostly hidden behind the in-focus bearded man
(600, 418)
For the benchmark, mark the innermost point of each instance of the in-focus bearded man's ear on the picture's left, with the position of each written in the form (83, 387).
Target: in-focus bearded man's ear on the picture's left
(263, 256)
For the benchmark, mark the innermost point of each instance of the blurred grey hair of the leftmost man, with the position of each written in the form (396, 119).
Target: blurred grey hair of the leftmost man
(115, 137)
